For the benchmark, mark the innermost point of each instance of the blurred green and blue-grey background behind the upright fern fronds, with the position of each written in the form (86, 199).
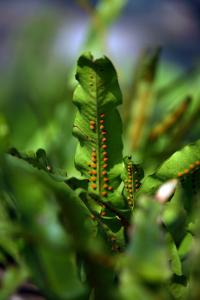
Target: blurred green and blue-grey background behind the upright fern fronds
(41, 40)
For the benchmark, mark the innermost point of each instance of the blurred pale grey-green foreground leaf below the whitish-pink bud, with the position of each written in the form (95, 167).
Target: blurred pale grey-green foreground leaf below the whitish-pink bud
(148, 255)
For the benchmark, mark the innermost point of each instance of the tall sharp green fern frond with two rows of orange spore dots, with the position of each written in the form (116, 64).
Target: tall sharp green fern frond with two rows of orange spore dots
(97, 124)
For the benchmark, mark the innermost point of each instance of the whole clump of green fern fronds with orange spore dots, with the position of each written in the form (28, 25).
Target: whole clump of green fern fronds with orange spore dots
(123, 224)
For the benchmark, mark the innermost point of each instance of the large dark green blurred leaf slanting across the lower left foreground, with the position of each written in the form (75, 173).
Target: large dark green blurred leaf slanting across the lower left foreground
(46, 247)
